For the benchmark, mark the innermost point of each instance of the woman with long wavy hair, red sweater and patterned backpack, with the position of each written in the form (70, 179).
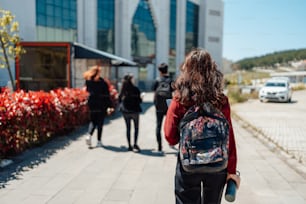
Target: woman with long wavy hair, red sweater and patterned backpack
(199, 120)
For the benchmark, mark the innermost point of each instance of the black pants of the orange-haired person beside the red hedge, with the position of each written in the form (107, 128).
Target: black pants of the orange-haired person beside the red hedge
(96, 121)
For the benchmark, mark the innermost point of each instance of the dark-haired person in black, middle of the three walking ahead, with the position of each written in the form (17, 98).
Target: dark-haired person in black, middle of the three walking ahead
(130, 100)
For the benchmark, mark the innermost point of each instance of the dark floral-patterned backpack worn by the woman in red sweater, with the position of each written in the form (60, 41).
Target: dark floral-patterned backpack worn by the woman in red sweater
(204, 136)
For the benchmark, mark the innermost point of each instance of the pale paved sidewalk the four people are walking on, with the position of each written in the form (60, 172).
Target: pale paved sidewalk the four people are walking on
(66, 171)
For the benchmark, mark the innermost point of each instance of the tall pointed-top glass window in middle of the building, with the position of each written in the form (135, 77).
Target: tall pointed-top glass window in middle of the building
(143, 34)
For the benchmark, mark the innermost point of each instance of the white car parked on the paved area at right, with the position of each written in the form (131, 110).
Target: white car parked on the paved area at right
(276, 89)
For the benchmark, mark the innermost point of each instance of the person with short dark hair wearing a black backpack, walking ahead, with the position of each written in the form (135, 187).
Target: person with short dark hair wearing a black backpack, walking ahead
(162, 88)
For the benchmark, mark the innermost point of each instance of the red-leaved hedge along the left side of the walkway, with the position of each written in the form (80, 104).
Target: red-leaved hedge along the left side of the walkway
(30, 118)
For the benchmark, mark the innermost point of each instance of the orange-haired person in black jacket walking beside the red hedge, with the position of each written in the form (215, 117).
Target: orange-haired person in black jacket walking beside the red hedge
(99, 102)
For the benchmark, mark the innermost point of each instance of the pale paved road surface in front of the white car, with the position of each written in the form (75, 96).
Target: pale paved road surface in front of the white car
(281, 123)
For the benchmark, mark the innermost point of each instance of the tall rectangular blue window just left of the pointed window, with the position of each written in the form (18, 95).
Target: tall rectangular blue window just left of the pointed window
(106, 34)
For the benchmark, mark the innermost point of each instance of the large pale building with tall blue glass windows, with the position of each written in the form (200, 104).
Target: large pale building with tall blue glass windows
(148, 32)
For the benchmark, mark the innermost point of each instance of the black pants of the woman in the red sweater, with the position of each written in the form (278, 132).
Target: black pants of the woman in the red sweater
(188, 187)
